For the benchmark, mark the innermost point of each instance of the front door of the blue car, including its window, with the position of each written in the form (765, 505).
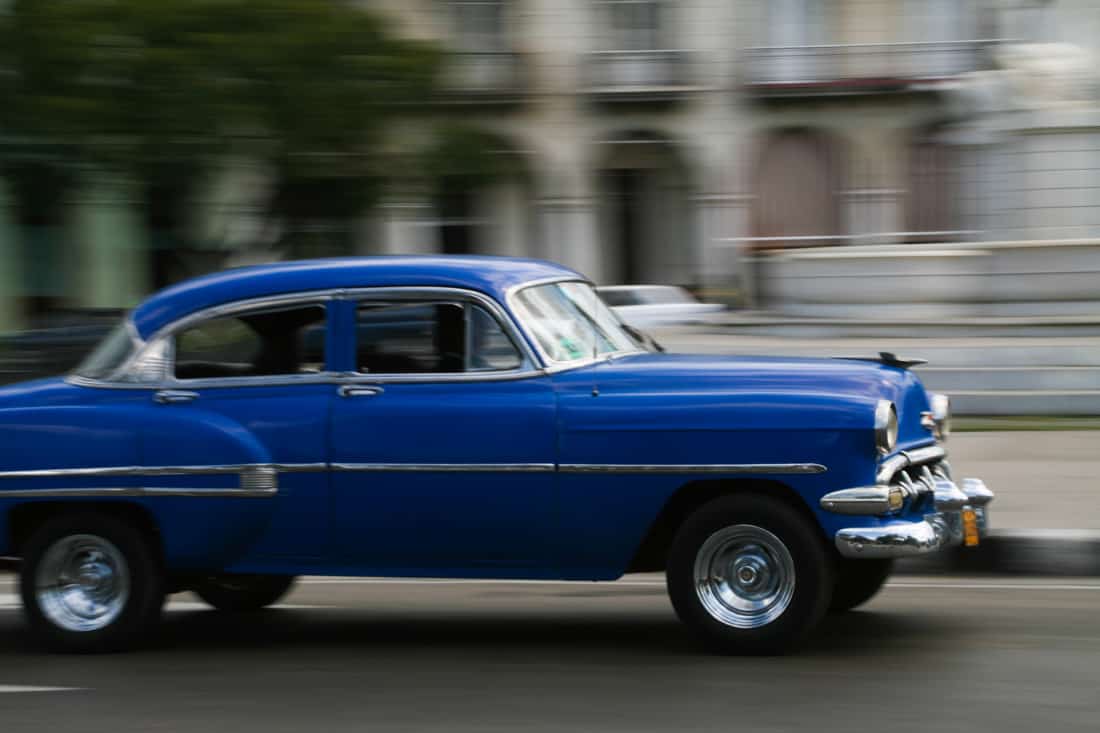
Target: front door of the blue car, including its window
(443, 444)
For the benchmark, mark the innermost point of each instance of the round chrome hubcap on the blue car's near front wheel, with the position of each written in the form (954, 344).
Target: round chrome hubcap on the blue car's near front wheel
(744, 576)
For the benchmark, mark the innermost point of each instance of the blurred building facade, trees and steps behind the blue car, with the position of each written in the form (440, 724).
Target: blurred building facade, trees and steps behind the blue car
(846, 176)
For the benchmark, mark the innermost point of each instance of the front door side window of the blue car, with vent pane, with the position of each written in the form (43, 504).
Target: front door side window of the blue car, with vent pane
(432, 338)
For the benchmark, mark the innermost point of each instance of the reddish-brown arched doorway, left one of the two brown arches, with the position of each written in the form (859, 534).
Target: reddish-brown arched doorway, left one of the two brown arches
(799, 181)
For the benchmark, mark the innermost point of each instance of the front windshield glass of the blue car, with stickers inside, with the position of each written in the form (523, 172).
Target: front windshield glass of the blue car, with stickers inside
(571, 323)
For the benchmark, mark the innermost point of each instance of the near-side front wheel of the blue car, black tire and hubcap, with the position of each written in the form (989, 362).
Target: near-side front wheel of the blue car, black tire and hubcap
(750, 575)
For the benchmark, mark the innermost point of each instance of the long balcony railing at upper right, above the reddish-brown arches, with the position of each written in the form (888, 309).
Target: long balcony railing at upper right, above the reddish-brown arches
(868, 68)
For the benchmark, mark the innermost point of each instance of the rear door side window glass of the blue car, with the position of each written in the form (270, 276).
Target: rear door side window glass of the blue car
(269, 343)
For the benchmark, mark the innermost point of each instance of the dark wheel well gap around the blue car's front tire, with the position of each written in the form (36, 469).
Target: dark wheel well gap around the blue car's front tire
(652, 554)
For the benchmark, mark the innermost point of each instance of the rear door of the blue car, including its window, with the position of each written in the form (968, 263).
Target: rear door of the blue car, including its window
(256, 377)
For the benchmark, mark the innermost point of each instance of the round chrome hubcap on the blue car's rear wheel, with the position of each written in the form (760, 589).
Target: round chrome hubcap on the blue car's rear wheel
(83, 583)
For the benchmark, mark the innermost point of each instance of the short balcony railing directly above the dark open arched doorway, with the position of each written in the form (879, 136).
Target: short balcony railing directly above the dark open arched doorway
(639, 75)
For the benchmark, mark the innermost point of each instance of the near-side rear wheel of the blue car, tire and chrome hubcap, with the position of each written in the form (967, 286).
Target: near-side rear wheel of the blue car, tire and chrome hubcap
(91, 584)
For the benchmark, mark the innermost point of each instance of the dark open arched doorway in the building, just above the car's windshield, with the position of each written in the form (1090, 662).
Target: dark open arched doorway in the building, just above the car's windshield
(645, 217)
